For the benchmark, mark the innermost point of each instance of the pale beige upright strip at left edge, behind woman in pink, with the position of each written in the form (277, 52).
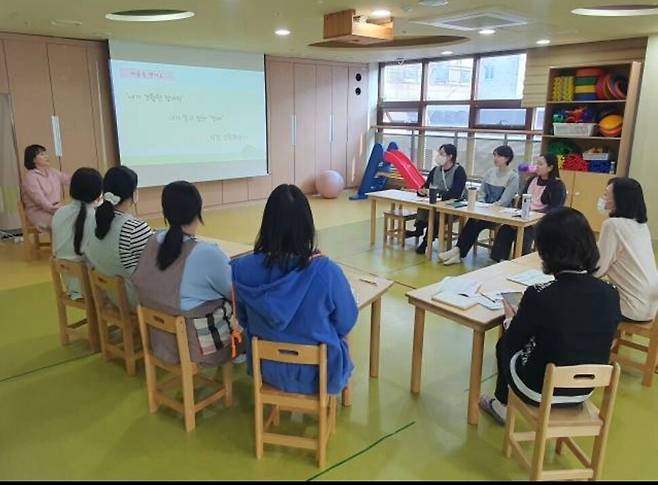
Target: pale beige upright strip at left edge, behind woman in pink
(9, 181)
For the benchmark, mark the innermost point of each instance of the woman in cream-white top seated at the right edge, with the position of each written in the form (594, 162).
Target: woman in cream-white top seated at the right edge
(627, 257)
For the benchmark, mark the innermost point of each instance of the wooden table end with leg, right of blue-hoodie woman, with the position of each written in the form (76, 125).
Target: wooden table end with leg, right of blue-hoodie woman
(368, 294)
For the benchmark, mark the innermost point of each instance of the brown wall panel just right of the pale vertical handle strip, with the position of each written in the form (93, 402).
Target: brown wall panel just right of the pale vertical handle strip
(71, 90)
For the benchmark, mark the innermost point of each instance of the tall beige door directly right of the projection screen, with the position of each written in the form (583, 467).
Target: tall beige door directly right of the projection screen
(280, 117)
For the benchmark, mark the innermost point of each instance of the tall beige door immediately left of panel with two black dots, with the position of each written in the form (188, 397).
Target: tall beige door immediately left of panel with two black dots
(339, 120)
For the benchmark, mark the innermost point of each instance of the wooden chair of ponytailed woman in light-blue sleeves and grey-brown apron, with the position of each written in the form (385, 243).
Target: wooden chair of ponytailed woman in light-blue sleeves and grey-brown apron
(186, 372)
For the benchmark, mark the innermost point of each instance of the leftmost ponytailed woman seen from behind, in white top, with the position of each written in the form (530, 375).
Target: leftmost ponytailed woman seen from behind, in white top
(74, 223)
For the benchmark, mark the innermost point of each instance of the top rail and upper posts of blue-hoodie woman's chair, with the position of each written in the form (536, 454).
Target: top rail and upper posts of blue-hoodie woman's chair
(290, 354)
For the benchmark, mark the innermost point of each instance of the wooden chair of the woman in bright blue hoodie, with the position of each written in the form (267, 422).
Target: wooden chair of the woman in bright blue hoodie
(321, 404)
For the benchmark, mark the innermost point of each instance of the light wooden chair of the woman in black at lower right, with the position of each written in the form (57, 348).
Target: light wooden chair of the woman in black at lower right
(564, 423)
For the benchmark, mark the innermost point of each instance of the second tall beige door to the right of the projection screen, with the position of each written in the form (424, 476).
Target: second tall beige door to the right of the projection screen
(304, 126)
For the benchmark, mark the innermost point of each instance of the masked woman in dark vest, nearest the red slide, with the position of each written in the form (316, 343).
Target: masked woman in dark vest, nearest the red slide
(449, 178)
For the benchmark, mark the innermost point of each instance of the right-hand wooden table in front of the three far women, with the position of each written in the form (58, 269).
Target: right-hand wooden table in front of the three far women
(487, 213)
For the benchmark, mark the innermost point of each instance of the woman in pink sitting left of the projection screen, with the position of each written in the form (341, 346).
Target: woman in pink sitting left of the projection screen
(42, 187)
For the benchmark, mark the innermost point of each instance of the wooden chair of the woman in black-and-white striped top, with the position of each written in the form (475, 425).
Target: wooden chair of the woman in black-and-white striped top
(116, 316)
